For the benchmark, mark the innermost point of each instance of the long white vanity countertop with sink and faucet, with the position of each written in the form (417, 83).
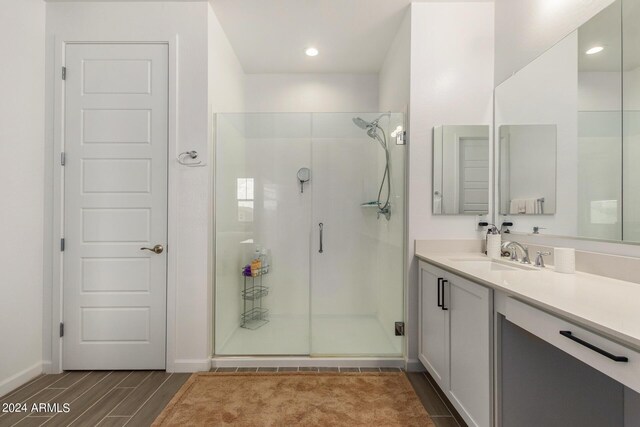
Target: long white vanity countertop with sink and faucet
(608, 306)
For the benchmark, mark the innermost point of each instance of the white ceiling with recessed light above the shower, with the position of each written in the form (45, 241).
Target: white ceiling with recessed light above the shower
(270, 36)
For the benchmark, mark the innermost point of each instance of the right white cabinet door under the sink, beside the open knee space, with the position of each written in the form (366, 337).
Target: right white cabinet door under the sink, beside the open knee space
(470, 309)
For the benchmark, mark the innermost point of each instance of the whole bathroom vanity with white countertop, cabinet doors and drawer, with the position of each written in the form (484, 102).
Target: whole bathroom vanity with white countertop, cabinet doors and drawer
(516, 345)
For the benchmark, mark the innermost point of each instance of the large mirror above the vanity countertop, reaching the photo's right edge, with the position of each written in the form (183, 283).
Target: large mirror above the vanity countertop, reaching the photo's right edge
(588, 87)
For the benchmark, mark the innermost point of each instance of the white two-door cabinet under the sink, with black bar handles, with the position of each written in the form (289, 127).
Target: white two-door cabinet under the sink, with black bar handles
(455, 333)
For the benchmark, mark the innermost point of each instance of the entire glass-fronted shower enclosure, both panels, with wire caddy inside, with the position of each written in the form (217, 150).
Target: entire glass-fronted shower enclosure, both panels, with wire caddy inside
(319, 199)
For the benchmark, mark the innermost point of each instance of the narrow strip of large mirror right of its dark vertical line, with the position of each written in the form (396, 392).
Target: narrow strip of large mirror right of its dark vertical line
(631, 119)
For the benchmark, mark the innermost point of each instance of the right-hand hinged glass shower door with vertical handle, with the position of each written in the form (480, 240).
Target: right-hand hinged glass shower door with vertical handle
(356, 252)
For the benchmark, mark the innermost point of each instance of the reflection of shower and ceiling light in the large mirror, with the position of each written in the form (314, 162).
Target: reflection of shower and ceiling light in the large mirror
(599, 126)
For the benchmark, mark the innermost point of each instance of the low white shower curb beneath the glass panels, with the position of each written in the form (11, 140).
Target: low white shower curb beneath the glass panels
(289, 362)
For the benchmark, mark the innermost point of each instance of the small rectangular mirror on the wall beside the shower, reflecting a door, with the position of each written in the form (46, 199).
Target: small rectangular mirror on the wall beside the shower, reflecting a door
(461, 170)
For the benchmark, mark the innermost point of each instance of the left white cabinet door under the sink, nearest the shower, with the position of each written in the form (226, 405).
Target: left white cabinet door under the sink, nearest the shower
(433, 336)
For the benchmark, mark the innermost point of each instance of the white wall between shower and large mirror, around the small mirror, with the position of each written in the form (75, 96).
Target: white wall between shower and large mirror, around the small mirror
(451, 83)
